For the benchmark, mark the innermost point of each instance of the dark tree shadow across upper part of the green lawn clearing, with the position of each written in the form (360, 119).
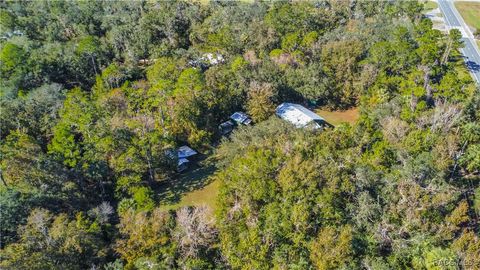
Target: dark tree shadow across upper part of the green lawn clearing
(195, 177)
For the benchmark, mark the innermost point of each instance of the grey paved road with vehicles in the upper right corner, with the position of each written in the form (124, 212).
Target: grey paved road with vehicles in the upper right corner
(470, 51)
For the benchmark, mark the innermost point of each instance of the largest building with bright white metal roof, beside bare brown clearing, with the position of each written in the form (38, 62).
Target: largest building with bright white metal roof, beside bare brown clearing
(299, 116)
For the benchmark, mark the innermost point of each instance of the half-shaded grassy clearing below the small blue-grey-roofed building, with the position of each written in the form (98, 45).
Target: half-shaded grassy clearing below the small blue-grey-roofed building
(193, 187)
